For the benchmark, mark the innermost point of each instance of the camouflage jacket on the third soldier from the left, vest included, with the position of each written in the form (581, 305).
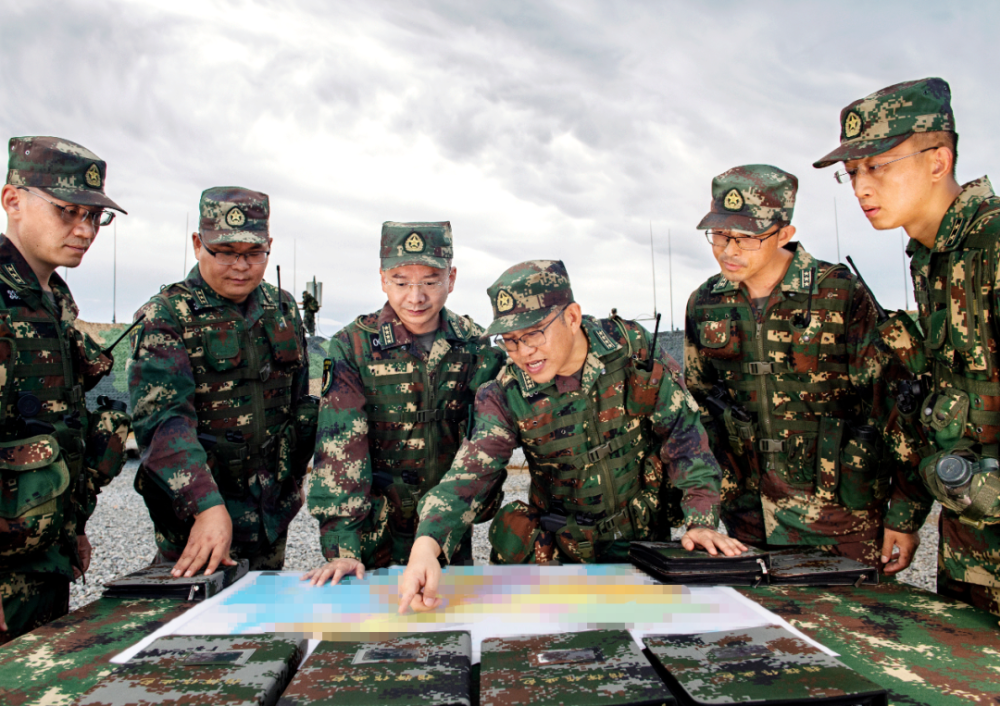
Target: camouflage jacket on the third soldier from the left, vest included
(377, 381)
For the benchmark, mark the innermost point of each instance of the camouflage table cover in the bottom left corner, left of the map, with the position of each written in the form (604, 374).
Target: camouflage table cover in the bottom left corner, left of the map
(56, 663)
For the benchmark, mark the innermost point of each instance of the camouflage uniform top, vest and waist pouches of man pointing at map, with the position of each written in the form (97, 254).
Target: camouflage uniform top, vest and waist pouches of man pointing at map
(624, 495)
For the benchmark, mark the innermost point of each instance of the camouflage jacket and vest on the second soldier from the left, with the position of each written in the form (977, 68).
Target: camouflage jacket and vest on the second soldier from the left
(215, 387)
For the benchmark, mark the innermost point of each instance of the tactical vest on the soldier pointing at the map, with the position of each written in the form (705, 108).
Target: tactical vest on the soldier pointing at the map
(586, 450)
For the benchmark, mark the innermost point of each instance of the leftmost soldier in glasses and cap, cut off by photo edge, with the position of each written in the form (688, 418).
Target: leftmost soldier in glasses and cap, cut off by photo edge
(54, 455)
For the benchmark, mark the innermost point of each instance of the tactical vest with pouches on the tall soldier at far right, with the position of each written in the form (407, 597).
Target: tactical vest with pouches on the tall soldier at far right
(955, 307)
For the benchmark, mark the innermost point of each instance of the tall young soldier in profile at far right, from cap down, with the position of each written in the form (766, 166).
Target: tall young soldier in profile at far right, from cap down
(898, 146)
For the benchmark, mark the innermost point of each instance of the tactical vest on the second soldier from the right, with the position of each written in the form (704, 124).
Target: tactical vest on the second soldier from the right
(790, 371)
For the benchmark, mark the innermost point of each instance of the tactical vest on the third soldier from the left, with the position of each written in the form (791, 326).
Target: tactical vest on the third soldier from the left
(407, 406)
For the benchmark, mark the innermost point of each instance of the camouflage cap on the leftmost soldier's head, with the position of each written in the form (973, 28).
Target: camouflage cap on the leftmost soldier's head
(62, 169)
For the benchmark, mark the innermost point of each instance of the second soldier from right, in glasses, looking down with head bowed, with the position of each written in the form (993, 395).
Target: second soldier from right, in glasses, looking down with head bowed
(781, 346)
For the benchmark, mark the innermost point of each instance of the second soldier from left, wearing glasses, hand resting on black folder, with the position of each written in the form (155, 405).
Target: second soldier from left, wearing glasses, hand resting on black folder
(219, 386)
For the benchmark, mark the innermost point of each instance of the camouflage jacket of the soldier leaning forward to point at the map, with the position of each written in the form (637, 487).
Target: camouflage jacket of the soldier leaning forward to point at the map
(671, 428)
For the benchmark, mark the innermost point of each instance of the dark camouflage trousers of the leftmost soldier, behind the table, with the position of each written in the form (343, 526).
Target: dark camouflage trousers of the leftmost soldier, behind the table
(31, 600)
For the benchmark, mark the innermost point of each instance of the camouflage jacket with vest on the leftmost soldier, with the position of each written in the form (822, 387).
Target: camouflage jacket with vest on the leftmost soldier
(44, 358)
